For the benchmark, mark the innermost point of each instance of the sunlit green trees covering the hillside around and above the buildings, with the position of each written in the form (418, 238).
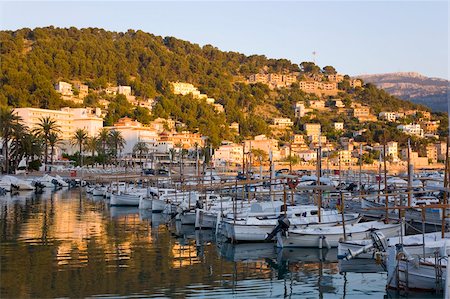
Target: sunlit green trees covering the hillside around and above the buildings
(32, 61)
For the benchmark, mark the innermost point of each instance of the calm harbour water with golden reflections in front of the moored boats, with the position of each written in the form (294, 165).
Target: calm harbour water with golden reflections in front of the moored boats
(68, 244)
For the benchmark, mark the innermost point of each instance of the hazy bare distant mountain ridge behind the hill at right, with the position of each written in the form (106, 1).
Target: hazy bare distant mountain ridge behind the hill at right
(414, 87)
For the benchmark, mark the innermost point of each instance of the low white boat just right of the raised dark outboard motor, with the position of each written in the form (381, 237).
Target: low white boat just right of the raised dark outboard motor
(321, 237)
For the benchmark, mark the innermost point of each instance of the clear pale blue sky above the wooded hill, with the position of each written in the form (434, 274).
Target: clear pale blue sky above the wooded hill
(356, 37)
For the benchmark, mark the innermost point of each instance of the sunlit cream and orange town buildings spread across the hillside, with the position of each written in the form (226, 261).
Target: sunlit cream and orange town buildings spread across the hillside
(161, 136)
